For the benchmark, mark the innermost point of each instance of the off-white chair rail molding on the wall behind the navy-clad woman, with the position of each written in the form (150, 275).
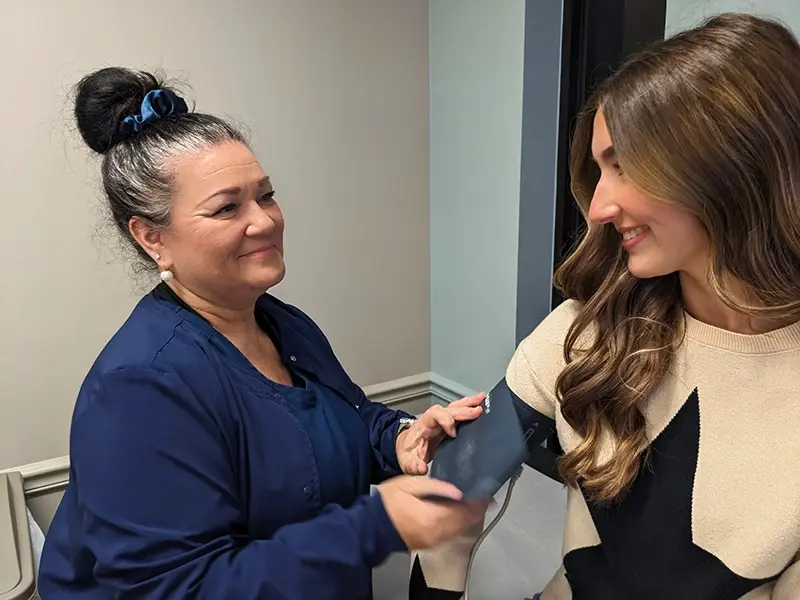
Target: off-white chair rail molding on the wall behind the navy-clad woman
(413, 394)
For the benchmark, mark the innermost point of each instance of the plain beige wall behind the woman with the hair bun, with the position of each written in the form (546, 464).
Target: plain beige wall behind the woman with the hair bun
(336, 95)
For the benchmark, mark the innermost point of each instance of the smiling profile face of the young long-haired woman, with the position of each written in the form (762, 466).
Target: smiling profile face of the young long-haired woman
(659, 238)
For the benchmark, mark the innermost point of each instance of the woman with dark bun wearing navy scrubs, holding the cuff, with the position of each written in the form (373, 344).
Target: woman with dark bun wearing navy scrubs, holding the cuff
(218, 448)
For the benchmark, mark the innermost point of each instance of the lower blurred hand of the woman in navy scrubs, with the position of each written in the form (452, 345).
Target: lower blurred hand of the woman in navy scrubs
(426, 523)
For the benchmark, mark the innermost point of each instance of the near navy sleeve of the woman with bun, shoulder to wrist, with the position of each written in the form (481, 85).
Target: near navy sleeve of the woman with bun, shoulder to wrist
(163, 517)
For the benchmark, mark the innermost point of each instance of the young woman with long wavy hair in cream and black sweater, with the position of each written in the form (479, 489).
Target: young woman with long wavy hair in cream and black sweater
(671, 373)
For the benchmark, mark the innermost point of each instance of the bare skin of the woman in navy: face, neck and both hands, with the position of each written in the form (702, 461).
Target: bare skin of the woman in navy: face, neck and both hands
(224, 246)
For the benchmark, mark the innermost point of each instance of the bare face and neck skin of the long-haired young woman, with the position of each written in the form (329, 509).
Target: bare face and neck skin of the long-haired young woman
(667, 239)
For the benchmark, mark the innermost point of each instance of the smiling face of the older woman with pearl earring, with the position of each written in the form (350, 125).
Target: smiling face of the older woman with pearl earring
(225, 238)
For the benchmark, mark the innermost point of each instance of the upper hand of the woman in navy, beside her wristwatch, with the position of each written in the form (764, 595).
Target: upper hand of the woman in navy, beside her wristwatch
(417, 444)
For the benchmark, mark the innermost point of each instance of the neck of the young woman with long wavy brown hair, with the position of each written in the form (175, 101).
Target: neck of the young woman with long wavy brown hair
(702, 303)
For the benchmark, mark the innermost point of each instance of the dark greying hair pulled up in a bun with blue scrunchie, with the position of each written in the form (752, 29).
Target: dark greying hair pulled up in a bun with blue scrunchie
(136, 176)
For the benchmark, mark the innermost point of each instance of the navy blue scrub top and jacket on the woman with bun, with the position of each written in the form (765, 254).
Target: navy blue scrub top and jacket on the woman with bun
(194, 476)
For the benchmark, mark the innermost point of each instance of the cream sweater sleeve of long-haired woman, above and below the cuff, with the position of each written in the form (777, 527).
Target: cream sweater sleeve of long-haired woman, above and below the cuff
(441, 573)
